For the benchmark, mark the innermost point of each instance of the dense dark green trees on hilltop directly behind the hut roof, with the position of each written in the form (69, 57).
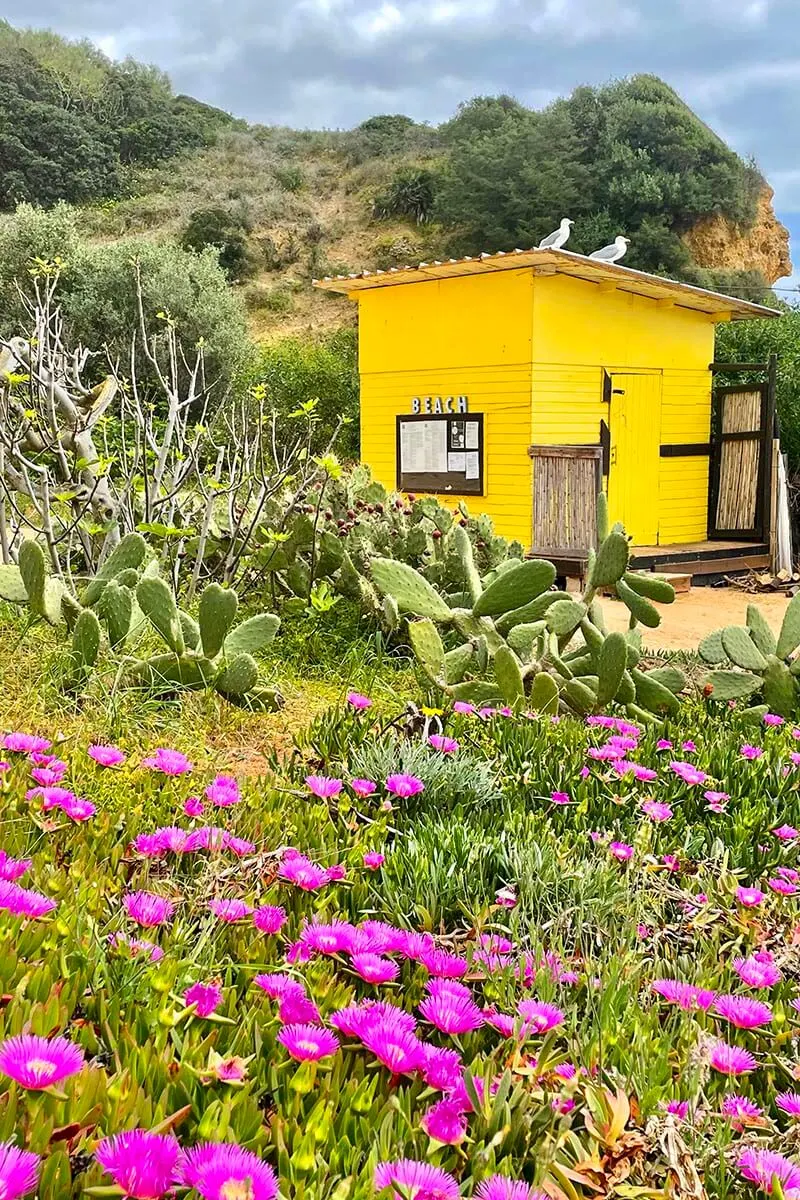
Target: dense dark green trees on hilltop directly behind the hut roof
(630, 158)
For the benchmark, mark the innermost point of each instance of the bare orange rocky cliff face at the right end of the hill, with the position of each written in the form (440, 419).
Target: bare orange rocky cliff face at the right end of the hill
(718, 244)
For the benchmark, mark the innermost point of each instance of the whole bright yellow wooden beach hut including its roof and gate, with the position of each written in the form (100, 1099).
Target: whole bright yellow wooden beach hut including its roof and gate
(521, 383)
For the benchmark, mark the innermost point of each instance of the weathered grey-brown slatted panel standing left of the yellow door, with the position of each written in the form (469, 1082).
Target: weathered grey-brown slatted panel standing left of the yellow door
(566, 497)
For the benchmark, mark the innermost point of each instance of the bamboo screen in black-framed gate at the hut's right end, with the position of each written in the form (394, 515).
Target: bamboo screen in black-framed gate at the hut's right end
(739, 461)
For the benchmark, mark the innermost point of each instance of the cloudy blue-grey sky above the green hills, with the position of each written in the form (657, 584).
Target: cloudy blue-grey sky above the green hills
(333, 63)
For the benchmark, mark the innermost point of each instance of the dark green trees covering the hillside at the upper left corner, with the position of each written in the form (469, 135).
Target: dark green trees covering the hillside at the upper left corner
(71, 121)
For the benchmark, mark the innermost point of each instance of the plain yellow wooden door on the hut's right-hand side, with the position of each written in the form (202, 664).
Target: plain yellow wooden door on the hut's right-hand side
(635, 451)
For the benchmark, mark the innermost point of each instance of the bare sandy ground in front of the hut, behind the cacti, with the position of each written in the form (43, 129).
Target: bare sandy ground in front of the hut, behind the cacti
(696, 614)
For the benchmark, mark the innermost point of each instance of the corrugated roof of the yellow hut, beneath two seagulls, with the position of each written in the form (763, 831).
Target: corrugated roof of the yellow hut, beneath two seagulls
(556, 262)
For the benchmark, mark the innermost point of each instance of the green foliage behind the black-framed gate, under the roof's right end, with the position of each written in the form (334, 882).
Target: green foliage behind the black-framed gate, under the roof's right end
(754, 341)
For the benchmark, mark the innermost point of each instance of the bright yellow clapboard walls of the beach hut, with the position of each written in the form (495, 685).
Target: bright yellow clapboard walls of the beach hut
(530, 352)
